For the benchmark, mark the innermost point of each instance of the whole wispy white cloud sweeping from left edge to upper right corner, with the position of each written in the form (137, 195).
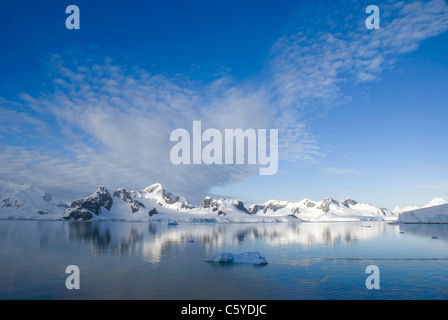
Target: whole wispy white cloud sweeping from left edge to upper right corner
(111, 126)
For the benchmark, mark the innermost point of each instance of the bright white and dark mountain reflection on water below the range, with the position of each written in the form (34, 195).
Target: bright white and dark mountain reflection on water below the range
(150, 239)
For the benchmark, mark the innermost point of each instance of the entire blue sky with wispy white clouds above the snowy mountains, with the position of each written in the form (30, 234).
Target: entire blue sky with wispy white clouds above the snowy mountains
(361, 113)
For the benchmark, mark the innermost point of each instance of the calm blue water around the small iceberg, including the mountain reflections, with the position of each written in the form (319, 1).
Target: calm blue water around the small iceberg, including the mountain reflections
(119, 260)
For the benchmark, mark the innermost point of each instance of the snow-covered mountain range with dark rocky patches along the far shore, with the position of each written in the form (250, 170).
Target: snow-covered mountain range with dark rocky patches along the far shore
(154, 203)
